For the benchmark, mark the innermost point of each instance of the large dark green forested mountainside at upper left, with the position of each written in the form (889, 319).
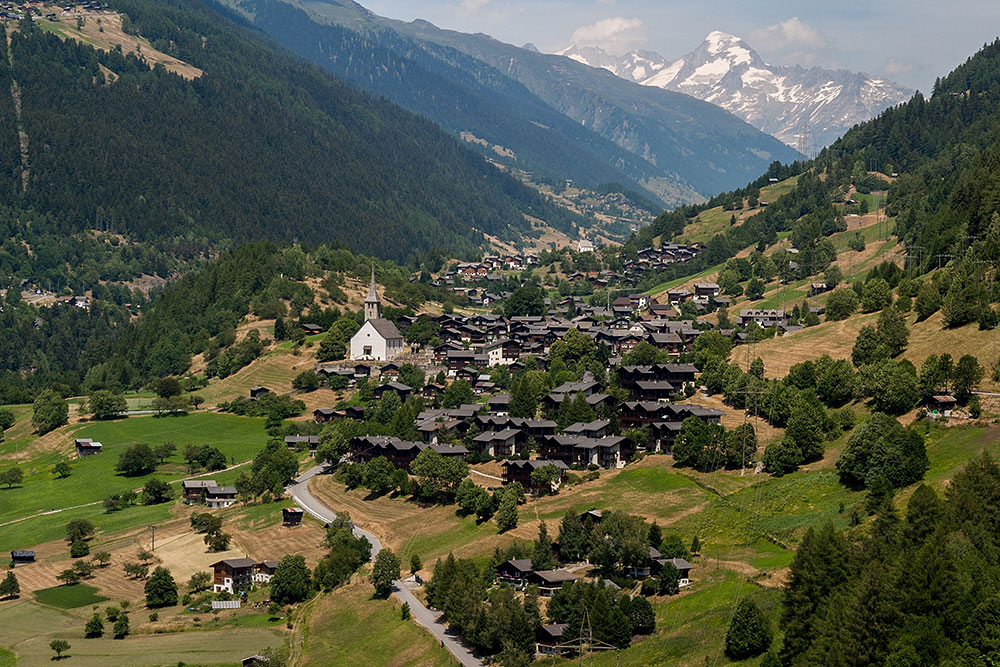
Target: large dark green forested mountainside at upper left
(259, 146)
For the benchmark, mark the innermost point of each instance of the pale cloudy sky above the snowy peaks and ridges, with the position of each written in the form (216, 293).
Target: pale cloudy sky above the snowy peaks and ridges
(909, 41)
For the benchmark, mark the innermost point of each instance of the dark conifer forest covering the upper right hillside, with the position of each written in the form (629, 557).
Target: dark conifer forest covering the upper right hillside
(938, 162)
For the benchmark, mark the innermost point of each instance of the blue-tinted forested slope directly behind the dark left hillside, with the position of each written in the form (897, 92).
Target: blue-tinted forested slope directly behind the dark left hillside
(459, 92)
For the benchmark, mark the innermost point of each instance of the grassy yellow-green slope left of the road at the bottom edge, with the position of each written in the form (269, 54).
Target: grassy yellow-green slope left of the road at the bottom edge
(350, 627)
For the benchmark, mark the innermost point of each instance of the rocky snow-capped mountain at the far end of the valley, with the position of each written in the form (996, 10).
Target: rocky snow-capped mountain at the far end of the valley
(805, 108)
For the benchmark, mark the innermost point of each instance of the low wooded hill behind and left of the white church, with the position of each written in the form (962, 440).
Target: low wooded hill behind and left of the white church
(76, 349)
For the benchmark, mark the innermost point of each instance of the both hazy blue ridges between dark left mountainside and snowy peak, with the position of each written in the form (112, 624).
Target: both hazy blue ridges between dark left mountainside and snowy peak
(541, 113)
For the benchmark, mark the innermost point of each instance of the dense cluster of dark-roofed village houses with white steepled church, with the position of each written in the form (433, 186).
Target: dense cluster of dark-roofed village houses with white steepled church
(471, 345)
